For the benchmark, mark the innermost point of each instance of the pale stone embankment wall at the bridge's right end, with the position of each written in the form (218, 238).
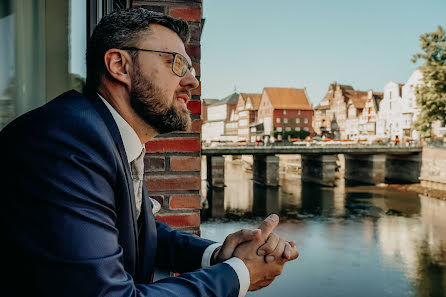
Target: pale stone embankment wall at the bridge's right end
(433, 168)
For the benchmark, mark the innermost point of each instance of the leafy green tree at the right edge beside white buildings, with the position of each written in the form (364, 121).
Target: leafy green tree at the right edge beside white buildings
(431, 94)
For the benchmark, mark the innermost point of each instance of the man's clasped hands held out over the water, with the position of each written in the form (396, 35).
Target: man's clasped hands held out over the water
(263, 252)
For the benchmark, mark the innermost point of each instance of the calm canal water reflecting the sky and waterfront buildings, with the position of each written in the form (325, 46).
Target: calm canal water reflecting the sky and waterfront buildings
(353, 240)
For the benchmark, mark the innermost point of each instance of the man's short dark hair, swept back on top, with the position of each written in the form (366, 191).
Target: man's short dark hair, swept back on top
(124, 28)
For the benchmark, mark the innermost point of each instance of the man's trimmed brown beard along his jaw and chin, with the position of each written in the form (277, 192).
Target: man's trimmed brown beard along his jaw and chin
(149, 103)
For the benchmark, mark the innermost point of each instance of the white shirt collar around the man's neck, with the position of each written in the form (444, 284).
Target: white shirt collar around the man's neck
(130, 139)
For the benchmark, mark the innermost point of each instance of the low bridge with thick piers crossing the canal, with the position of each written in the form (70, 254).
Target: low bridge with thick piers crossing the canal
(368, 164)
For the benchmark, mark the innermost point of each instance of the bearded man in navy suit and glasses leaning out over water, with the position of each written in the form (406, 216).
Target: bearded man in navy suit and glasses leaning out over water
(76, 218)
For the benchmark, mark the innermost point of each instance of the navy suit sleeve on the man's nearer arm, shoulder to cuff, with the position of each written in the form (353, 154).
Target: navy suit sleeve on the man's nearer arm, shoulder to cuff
(58, 217)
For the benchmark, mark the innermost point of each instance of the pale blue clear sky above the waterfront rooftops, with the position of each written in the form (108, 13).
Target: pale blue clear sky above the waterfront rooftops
(247, 45)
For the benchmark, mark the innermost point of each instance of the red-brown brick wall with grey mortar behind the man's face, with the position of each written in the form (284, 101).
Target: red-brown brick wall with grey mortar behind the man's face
(173, 161)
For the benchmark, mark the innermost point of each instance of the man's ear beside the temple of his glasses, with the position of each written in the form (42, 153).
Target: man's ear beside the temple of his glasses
(118, 63)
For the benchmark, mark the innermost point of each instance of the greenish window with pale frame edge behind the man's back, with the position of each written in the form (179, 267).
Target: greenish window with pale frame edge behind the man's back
(42, 52)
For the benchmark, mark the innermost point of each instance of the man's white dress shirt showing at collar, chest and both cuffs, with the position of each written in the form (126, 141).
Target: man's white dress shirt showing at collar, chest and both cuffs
(133, 149)
